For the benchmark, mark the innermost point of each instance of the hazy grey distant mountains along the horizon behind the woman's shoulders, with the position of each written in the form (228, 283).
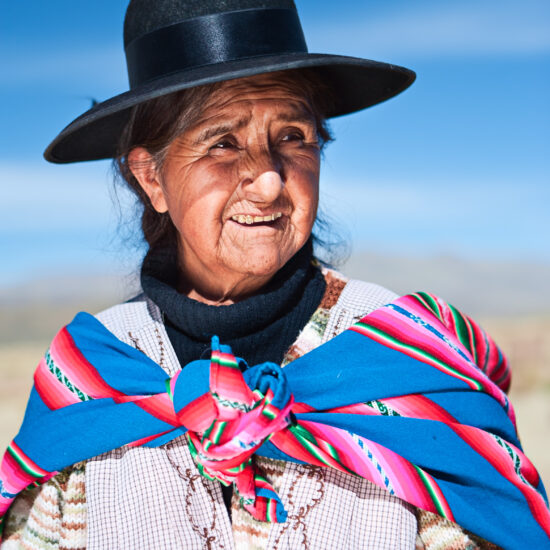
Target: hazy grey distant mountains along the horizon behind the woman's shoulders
(35, 310)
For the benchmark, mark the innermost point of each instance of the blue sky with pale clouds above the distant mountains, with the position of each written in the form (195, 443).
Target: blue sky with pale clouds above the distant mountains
(457, 165)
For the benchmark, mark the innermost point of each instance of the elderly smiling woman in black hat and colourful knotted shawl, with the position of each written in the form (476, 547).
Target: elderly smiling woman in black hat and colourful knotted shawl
(146, 429)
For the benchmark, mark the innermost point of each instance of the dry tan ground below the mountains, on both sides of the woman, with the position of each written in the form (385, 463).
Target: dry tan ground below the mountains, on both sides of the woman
(526, 341)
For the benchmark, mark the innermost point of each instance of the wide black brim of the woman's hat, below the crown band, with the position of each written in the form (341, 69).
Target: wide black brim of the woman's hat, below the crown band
(356, 84)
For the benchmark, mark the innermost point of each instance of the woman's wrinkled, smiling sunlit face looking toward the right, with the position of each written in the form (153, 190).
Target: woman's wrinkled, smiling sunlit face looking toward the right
(241, 187)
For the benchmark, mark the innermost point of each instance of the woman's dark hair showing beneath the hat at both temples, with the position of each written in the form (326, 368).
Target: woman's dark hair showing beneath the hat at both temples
(154, 124)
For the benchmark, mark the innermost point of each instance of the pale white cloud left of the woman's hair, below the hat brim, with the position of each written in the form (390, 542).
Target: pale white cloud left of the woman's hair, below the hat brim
(59, 217)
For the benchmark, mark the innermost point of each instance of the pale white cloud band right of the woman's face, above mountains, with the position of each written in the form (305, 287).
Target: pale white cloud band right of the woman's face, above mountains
(474, 217)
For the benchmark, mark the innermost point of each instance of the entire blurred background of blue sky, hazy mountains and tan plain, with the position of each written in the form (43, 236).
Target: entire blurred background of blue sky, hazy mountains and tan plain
(445, 188)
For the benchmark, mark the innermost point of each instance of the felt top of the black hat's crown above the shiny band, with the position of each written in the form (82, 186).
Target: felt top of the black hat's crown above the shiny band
(146, 16)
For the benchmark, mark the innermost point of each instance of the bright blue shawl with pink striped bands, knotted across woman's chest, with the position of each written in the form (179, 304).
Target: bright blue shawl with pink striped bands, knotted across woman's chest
(410, 398)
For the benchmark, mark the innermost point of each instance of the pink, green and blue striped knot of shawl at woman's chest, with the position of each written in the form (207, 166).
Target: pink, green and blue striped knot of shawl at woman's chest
(240, 417)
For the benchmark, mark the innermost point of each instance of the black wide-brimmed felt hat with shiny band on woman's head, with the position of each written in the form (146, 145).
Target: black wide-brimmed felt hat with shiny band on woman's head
(176, 44)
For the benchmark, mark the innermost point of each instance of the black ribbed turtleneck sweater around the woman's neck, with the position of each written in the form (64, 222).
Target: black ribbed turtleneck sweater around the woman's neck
(258, 329)
